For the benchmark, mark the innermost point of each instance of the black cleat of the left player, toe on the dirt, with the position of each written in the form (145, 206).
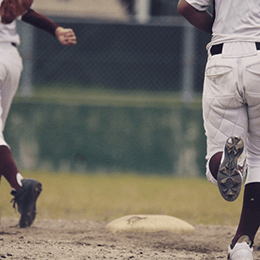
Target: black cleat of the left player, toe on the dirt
(25, 198)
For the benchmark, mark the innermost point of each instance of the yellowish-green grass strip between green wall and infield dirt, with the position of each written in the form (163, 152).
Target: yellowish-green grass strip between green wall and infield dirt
(103, 197)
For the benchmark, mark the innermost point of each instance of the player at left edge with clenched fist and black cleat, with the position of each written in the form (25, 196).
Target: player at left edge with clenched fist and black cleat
(25, 191)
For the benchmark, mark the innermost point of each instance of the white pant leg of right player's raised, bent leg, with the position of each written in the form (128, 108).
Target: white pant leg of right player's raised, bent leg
(224, 110)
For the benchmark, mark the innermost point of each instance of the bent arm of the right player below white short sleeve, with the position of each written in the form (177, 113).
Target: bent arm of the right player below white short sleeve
(202, 20)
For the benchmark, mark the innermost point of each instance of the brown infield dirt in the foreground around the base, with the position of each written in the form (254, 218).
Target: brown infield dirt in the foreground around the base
(60, 239)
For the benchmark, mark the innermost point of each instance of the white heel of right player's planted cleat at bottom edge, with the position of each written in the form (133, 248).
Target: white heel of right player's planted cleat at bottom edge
(241, 251)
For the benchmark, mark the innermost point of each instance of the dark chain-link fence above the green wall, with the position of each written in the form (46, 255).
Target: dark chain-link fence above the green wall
(121, 56)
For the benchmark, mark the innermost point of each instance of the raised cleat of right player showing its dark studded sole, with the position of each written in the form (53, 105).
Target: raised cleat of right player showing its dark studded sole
(229, 176)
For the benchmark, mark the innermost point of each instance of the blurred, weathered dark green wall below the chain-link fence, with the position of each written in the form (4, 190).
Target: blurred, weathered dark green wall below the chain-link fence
(145, 136)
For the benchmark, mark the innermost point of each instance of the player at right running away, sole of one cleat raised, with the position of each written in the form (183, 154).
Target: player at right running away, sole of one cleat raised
(231, 106)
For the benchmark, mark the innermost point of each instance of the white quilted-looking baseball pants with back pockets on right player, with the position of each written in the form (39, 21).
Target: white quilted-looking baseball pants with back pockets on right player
(231, 102)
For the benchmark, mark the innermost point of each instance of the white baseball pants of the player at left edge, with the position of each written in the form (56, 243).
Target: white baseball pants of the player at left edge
(10, 72)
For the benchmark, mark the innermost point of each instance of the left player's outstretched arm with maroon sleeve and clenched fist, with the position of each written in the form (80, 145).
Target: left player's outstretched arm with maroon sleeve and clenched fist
(66, 36)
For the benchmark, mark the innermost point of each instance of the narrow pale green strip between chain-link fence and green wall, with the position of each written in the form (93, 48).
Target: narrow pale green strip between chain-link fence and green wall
(103, 97)
